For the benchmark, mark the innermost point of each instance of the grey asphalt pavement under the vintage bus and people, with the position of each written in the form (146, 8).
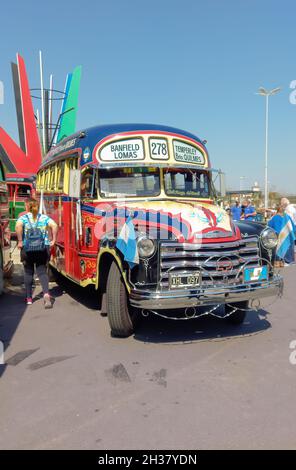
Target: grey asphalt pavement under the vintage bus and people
(198, 384)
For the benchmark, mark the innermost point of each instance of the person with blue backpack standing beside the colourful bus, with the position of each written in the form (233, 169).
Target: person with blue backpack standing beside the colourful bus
(32, 231)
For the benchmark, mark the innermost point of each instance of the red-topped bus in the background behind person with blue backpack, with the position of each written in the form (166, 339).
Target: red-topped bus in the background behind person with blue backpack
(20, 187)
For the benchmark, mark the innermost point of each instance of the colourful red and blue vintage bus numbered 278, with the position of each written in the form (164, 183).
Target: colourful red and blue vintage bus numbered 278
(137, 218)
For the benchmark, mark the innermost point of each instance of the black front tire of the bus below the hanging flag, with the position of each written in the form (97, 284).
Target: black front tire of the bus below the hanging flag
(122, 318)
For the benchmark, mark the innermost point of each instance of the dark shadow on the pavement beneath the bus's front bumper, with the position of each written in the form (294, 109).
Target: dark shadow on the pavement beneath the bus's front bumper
(155, 329)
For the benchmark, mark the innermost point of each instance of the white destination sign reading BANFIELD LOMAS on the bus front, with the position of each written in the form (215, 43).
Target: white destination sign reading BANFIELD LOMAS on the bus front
(123, 150)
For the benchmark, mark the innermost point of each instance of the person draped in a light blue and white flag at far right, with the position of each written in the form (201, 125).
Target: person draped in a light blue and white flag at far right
(285, 228)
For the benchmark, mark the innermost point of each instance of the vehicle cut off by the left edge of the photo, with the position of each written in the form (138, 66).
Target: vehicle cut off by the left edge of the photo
(5, 261)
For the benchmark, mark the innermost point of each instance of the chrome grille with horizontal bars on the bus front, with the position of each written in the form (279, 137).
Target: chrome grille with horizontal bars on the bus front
(209, 258)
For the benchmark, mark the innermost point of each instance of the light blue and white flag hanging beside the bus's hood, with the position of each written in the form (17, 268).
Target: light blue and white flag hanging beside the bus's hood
(127, 243)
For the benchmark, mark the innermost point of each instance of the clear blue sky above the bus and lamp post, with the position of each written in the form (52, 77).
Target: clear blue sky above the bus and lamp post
(191, 64)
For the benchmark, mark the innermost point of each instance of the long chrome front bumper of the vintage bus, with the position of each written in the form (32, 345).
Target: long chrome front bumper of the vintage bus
(175, 299)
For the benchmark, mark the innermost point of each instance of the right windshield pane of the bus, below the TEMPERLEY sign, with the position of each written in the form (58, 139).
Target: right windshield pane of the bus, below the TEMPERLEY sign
(186, 182)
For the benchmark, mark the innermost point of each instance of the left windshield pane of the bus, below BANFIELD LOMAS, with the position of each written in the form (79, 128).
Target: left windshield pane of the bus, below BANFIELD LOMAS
(129, 182)
